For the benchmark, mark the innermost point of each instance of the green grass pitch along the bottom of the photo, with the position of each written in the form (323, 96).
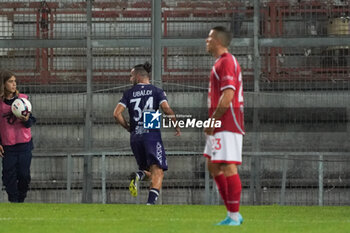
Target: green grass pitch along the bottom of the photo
(94, 218)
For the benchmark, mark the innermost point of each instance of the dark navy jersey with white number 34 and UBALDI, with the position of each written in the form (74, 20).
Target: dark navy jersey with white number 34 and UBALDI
(140, 98)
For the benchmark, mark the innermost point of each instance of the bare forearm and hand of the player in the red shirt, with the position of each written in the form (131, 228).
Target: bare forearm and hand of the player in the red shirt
(224, 103)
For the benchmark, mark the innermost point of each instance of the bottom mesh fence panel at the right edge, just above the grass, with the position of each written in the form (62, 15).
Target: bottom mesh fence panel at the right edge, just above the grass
(302, 184)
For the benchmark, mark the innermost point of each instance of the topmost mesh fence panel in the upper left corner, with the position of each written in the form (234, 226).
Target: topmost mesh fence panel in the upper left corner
(44, 19)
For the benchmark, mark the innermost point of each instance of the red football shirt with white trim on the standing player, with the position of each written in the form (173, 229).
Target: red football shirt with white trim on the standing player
(226, 73)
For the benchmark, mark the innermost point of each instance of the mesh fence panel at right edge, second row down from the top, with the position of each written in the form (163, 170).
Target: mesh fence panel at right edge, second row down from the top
(305, 69)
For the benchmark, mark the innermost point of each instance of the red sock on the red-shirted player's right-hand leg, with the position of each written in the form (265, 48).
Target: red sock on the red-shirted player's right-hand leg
(234, 188)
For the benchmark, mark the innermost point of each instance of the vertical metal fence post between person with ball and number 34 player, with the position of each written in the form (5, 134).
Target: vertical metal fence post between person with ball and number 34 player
(87, 185)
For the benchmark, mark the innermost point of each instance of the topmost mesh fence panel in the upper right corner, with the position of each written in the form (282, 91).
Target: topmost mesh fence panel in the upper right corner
(306, 18)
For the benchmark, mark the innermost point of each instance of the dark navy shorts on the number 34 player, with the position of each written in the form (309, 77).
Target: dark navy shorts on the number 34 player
(148, 150)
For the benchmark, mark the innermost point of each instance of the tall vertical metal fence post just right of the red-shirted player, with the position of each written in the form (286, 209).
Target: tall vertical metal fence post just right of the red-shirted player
(255, 187)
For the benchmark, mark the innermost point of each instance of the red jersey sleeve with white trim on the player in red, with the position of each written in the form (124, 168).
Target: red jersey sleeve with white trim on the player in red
(227, 74)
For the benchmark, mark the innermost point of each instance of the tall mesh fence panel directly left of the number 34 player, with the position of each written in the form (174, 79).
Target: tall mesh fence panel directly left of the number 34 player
(111, 78)
